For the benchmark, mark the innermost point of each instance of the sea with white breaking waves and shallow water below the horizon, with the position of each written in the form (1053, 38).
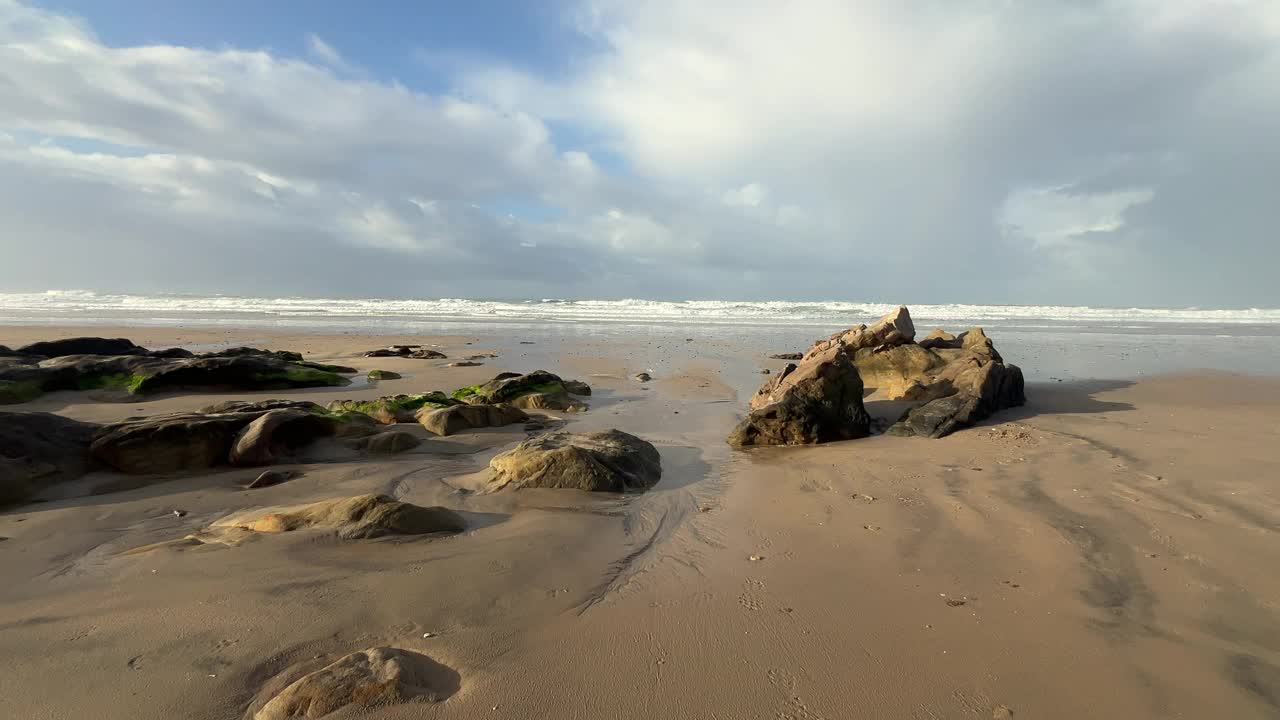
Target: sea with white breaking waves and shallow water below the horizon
(1050, 343)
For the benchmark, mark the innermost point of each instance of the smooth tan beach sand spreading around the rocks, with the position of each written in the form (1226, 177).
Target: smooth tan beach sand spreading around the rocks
(1108, 552)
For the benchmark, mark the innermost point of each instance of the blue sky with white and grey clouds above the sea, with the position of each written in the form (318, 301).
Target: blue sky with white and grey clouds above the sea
(989, 152)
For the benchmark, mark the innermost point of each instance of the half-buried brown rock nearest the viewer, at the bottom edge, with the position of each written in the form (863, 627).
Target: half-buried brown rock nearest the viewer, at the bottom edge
(367, 680)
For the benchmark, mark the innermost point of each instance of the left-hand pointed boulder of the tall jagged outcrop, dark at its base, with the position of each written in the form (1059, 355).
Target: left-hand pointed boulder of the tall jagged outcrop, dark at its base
(820, 400)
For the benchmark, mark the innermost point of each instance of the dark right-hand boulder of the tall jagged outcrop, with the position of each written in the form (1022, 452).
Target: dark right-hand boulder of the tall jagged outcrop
(968, 390)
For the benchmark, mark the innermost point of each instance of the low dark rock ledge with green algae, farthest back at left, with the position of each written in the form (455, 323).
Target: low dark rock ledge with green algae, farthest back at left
(135, 371)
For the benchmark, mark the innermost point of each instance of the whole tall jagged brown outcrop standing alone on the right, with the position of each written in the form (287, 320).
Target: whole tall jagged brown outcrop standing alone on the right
(957, 380)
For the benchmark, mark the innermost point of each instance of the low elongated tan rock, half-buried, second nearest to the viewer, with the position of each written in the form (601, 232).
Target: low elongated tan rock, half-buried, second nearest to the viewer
(351, 518)
